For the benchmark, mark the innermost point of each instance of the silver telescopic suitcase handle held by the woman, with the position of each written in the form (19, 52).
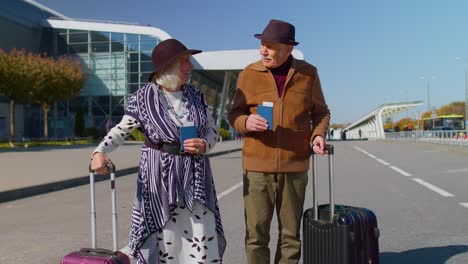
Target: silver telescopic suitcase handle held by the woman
(111, 168)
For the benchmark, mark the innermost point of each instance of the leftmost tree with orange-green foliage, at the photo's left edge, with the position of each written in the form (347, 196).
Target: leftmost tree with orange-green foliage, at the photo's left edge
(15, 80)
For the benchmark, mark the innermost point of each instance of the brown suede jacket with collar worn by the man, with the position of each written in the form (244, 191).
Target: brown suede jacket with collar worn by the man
(298, 116)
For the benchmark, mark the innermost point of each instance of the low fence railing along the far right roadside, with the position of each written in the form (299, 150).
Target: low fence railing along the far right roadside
(448, 137)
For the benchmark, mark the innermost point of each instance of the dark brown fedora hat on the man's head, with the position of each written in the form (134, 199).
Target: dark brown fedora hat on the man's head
(278, 31)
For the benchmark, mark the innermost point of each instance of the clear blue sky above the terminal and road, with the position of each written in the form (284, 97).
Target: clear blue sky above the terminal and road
(367, 52)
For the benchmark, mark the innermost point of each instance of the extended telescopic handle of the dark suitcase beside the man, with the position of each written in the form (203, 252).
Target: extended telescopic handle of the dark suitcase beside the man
(331, 151)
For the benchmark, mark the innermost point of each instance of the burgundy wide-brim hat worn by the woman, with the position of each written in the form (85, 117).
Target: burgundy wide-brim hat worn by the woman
(165, 52)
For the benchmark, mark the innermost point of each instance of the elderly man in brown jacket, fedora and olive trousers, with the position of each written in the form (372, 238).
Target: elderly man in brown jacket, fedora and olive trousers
(276, 153)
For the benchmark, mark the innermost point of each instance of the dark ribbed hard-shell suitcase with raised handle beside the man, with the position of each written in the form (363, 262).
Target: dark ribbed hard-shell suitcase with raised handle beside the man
(338, 234)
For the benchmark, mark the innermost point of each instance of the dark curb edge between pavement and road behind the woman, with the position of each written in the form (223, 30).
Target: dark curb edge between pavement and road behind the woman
(26, 192)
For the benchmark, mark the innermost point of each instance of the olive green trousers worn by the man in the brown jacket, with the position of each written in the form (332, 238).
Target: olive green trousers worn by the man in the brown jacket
(263, 192)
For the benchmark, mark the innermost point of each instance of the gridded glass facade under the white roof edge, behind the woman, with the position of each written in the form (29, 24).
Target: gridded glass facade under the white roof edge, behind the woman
(117, 64)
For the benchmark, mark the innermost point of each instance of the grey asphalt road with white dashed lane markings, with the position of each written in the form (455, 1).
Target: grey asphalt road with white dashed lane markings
(419, 193)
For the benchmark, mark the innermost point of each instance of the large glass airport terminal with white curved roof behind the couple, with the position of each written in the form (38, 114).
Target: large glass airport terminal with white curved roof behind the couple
(117, 56)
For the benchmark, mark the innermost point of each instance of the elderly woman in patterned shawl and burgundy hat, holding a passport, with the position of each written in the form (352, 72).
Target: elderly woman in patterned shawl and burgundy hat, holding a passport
(175, 217)
